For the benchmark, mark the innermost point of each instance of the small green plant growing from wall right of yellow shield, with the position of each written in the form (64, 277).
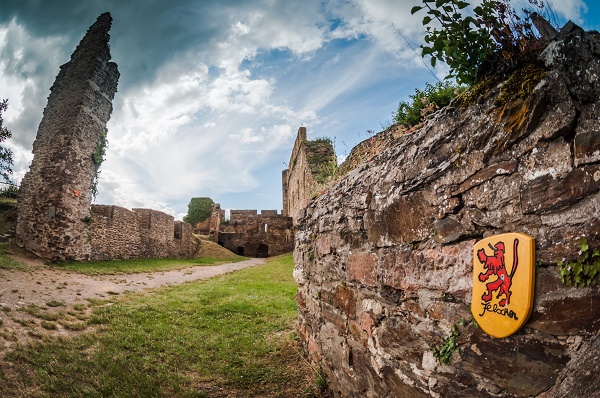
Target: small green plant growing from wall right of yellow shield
(584, 270)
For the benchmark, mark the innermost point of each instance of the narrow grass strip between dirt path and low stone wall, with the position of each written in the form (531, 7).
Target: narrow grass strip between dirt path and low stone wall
(142, 265)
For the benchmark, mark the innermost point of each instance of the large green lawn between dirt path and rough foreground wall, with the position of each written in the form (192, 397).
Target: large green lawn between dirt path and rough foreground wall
(232, 336)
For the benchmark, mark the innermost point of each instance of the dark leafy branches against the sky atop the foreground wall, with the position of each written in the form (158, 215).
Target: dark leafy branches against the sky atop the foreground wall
(493, 39)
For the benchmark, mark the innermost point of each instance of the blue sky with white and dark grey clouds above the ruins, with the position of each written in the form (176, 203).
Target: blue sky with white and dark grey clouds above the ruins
(212, 92)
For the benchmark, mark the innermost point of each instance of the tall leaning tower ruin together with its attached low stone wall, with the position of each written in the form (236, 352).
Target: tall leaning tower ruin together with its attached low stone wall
(55, 218)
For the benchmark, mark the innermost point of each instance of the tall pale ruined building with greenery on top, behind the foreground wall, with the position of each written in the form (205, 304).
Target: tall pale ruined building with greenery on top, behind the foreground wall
(310, 164)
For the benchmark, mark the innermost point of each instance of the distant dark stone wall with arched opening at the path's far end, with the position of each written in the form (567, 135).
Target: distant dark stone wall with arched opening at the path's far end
(257, 235)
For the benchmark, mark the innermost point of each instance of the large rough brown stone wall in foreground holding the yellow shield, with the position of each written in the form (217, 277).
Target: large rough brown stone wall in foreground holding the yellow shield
(384, 258)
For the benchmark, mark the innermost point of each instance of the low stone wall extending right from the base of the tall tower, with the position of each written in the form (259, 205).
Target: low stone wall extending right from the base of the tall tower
(119, 233)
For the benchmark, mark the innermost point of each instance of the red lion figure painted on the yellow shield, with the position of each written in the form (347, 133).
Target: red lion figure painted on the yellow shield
(495, 266)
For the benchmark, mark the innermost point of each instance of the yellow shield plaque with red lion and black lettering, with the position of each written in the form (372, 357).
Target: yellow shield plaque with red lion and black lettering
(503, 282)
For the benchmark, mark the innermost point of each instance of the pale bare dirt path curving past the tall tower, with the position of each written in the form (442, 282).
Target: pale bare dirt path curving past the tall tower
(22, 293)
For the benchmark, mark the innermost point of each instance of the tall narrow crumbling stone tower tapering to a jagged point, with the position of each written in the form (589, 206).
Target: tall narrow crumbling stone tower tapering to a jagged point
(56, 193)
